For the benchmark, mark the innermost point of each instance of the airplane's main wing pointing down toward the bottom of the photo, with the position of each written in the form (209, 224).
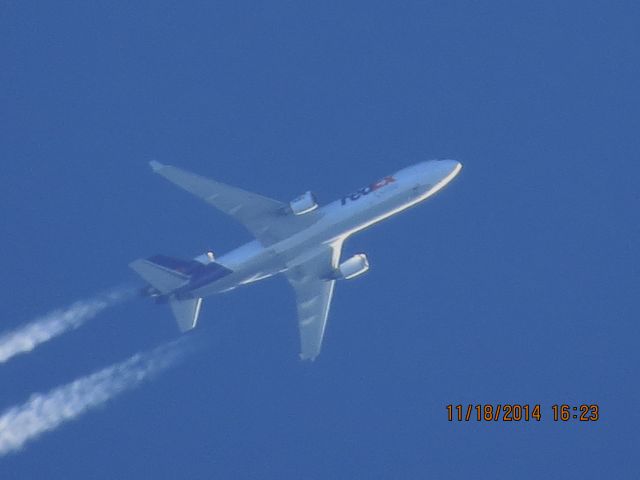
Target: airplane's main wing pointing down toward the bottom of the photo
(313, 295)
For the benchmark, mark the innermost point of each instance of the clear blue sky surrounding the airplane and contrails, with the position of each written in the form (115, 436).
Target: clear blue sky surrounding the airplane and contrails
(518, 283)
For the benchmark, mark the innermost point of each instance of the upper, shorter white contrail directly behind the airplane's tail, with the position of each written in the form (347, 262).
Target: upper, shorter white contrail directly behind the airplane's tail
(26, 338)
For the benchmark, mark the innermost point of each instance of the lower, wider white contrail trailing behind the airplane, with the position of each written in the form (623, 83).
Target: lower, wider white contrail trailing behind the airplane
(46, 411)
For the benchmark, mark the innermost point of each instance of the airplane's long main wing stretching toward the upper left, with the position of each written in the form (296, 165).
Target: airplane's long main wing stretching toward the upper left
(265, 218)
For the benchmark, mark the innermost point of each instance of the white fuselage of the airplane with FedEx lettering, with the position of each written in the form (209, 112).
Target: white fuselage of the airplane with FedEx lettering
(337, 221)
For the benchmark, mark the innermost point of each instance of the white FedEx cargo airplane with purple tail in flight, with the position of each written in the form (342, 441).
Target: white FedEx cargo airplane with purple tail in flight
(298, 239)
